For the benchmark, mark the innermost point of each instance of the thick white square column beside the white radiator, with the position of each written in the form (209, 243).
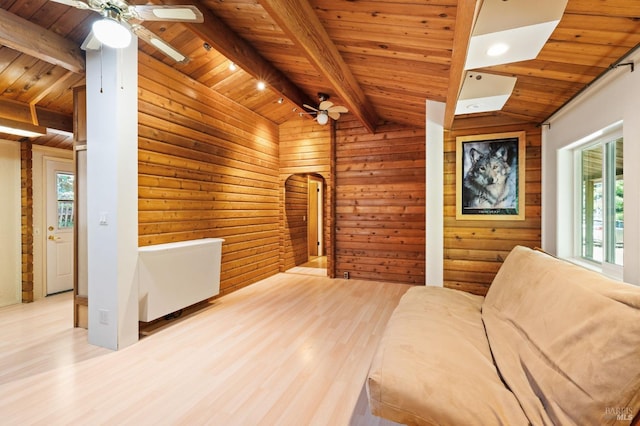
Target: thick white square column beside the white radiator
(112, 199)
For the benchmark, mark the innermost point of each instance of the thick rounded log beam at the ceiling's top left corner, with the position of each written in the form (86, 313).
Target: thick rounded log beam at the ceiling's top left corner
(33, 40)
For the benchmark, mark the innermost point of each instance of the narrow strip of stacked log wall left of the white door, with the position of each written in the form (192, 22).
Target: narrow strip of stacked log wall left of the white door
(26, 218)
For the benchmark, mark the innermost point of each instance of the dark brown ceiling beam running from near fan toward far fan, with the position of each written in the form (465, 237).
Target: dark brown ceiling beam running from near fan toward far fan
(220, 37)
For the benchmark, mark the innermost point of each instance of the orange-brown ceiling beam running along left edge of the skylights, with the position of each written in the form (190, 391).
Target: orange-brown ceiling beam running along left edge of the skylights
(465, 17)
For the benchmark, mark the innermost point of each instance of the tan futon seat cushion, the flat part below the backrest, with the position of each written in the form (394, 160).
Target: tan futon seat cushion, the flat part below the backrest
(433, 364)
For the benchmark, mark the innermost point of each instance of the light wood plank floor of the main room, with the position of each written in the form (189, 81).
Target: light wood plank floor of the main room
(290, 350)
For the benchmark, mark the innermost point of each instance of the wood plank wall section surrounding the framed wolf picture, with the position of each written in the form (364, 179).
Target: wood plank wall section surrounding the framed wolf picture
(474, 250)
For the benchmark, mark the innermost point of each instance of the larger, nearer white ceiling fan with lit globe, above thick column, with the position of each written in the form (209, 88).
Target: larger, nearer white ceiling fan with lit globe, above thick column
(119, 20)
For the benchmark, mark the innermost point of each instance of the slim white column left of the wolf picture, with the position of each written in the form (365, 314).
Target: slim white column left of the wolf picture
(435, 194)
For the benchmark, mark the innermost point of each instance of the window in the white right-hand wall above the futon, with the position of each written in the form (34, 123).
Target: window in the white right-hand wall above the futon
(601, 201)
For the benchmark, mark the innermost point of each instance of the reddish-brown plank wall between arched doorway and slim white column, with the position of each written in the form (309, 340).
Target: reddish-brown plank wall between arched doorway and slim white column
(380, 202)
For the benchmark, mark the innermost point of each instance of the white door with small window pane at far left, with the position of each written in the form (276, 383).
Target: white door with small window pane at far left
(60, 179)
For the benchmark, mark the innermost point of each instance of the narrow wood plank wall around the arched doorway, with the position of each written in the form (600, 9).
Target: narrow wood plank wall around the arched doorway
(305, 149)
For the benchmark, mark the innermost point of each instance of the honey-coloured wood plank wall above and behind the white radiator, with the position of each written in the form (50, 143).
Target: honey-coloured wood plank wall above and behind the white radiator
(207, 168)
